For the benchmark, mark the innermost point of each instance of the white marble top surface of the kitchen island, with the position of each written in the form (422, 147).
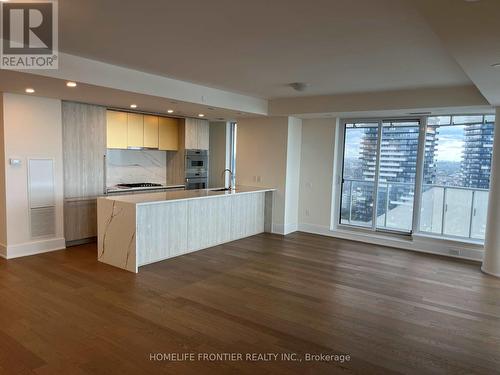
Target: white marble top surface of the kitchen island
(179, 195)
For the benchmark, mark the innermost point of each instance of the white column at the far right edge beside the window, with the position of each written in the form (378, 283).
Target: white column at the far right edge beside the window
(491, 262)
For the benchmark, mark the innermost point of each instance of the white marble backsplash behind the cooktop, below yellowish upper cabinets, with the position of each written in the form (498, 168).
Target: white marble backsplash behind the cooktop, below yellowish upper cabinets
(131, 166)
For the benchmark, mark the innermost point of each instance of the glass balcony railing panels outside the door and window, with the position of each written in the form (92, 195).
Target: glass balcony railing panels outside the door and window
(445, 211)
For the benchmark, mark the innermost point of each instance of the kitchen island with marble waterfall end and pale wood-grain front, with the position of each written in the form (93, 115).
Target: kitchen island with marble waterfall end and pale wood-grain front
(135, 230)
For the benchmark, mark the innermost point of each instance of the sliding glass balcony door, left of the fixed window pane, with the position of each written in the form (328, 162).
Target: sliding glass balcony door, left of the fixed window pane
(379, 174)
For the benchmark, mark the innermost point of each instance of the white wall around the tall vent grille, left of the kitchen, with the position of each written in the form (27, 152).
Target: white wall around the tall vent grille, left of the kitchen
(32, 129)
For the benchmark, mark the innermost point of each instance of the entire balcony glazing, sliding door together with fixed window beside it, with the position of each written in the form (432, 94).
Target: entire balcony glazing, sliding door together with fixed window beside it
(399, 176)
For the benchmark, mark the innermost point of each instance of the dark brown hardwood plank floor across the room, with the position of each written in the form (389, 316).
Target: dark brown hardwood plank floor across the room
(391, 311)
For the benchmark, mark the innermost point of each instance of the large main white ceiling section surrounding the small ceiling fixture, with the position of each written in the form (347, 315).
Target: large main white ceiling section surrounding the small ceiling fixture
(256, 47)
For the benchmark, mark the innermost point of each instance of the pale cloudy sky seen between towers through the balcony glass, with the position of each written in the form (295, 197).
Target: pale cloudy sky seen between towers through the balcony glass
(450, 143)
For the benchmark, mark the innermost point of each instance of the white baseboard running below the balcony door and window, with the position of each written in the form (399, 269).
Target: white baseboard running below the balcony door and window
(417, 243)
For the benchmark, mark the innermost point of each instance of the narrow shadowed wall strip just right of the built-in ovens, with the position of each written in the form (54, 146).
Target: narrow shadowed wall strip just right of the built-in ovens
(217, 154)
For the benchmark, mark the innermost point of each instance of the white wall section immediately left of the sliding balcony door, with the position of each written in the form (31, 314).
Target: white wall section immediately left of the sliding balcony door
(316, 173)
